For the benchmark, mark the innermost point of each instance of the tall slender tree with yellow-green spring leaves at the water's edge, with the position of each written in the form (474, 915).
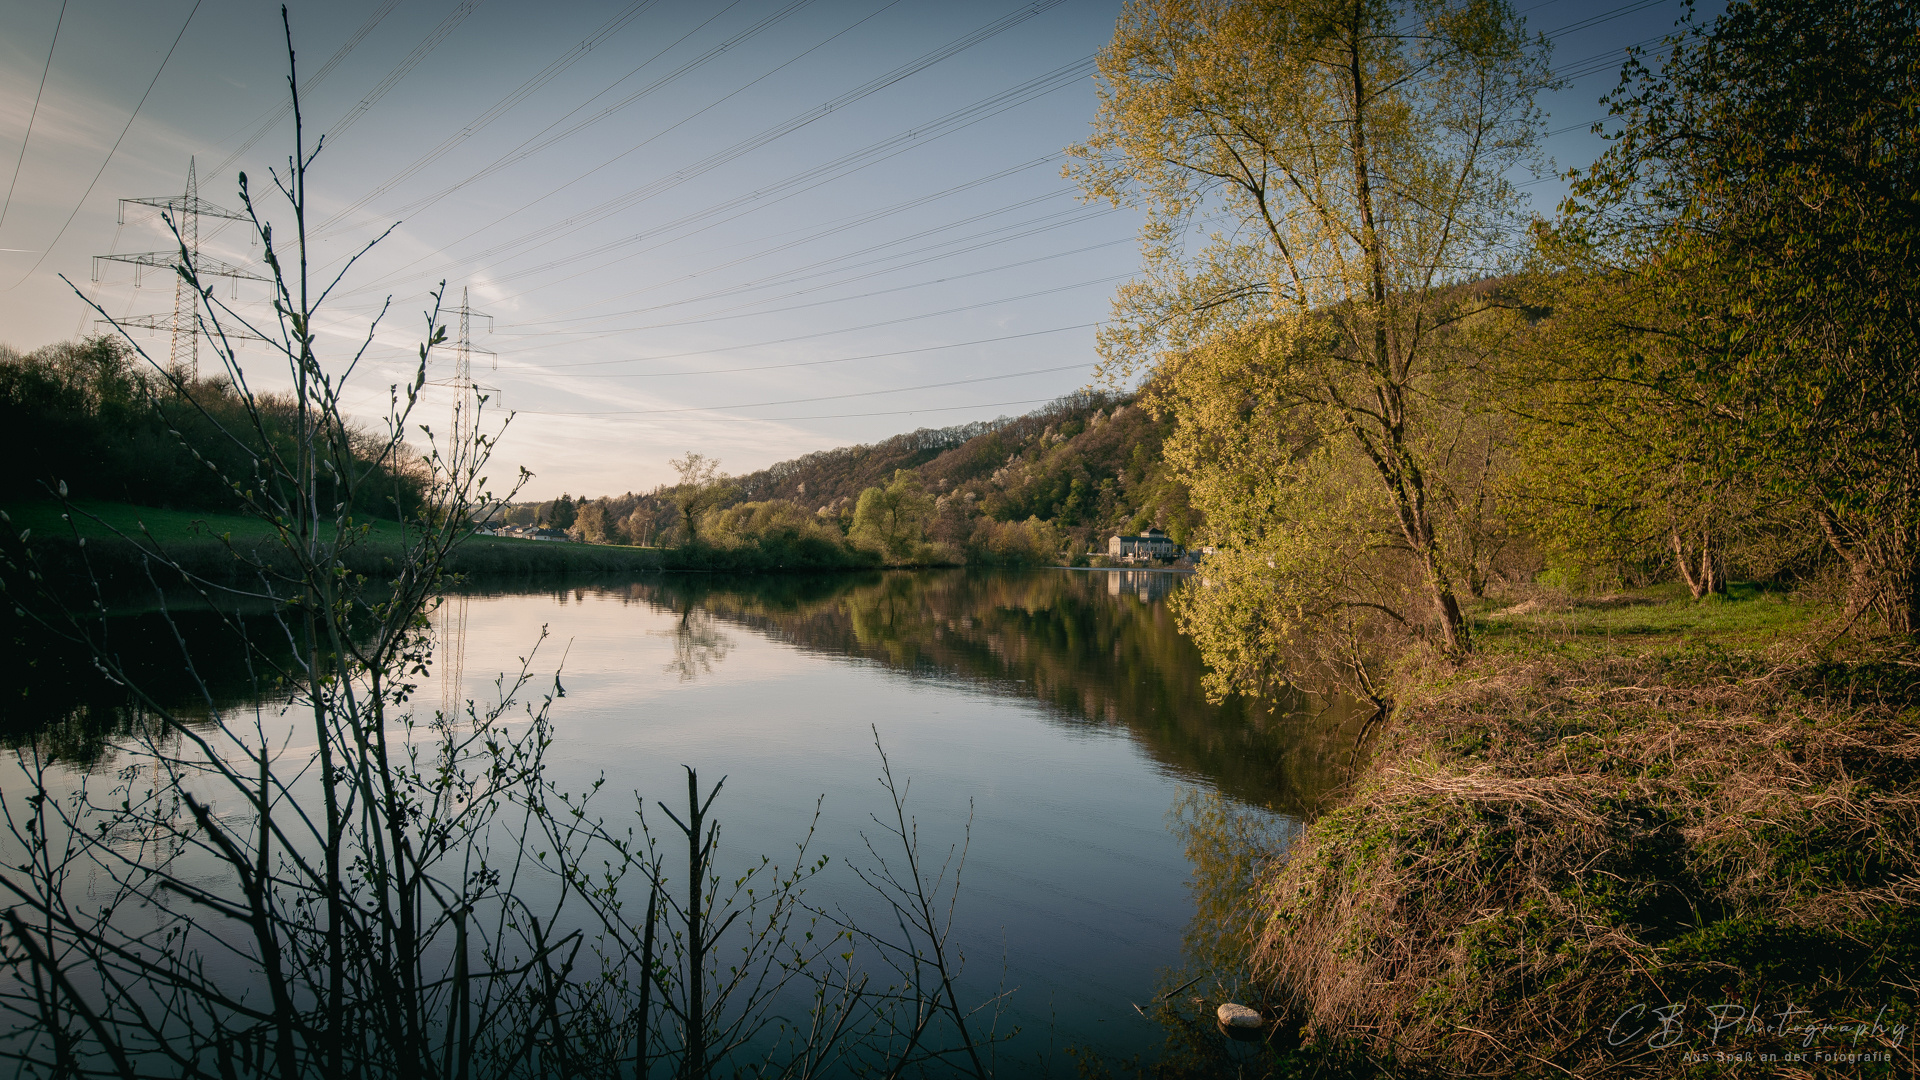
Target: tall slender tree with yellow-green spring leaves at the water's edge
(1351, 160)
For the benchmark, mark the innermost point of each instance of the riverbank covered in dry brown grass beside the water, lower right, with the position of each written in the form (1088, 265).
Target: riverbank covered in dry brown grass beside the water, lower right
(1641, 837)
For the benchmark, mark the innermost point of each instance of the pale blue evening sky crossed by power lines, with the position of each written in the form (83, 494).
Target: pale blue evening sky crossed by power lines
(754, 230)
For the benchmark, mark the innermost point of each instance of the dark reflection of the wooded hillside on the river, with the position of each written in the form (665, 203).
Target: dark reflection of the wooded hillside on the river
(1099, 650)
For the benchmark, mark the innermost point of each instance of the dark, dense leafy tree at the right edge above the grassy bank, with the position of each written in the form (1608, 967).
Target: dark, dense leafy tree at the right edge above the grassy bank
(1764, 184)
